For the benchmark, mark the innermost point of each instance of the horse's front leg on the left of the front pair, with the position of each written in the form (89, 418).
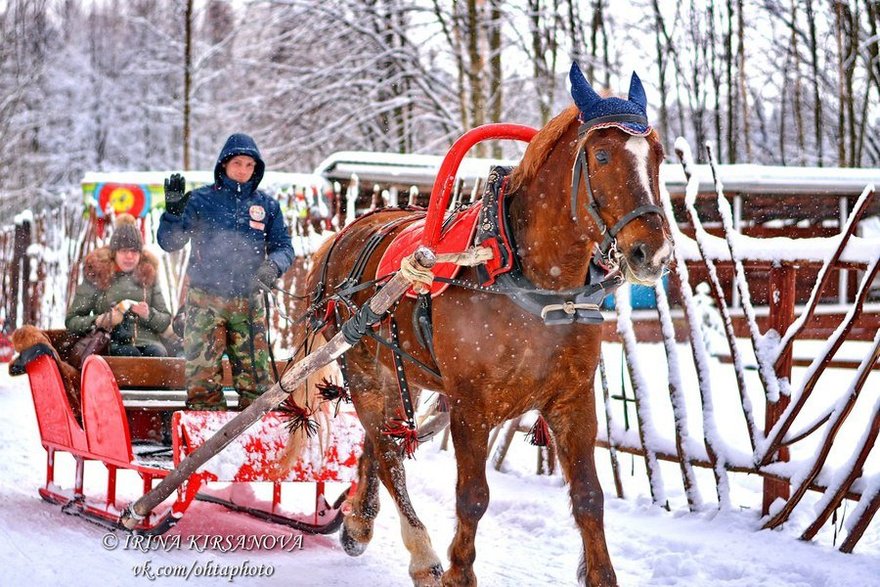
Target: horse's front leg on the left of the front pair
(471, 497)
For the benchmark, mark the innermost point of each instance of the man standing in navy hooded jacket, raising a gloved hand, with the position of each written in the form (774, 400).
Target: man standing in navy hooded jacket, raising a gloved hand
(239, 245)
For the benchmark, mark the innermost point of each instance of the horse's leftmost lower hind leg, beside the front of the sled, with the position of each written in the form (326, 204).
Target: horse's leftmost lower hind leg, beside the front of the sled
(357, 527)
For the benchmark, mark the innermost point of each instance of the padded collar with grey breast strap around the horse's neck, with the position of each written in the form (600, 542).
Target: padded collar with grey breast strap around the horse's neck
(504, 271)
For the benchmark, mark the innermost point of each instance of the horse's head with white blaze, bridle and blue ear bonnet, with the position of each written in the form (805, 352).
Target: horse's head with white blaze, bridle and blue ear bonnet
(615, 180)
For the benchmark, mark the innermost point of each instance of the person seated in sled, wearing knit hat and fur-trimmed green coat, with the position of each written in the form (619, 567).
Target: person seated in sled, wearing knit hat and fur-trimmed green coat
(119, 293)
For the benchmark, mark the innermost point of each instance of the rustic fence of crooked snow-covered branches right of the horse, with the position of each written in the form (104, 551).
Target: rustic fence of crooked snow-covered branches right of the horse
(787, 425)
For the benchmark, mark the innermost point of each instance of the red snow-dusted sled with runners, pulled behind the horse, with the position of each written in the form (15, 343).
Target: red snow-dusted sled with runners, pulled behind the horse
(104, 436)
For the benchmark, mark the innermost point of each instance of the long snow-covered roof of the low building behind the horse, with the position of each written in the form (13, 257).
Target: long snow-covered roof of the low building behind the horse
(745, 179)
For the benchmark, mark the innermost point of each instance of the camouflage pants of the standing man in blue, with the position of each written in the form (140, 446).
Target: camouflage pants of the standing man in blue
(236, 326)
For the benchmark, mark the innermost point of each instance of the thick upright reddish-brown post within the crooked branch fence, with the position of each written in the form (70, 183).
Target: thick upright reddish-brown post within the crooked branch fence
(781, 302)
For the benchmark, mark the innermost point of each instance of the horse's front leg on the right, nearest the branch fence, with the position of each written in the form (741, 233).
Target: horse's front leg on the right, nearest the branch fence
(574, 426)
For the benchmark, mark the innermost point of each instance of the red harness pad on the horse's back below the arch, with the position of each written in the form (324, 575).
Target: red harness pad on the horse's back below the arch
(457, 236)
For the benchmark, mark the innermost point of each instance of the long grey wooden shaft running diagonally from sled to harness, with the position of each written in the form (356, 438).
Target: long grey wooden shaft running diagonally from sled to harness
(292, 378)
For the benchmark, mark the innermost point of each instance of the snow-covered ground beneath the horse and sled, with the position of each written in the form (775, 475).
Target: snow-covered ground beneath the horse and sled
(527, 537)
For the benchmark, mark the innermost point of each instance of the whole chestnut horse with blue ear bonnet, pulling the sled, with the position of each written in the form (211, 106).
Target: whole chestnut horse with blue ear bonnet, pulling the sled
(495, 359)
